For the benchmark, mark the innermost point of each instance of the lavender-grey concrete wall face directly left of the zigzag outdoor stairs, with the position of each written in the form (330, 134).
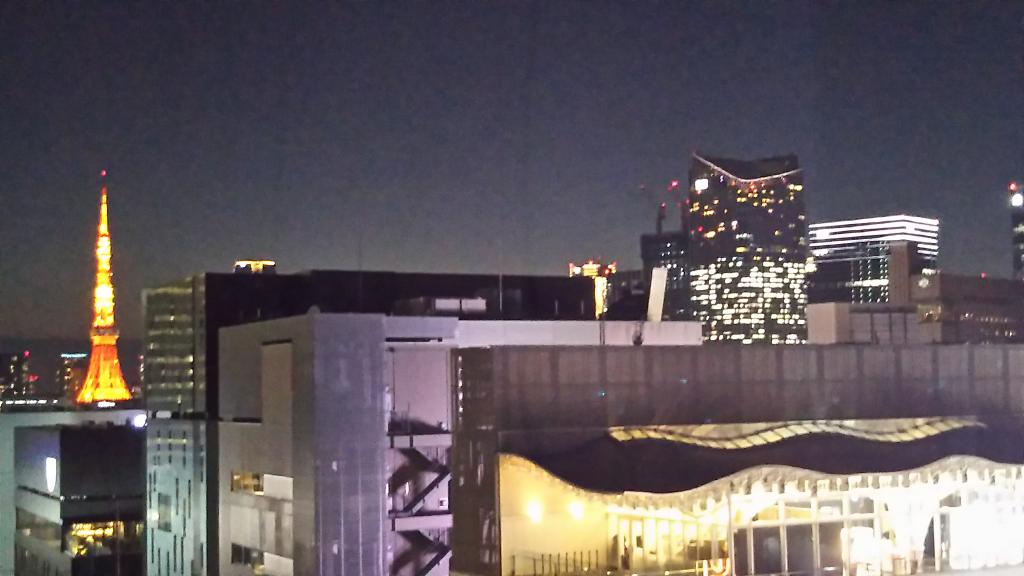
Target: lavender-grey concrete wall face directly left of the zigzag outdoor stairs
(351, 448)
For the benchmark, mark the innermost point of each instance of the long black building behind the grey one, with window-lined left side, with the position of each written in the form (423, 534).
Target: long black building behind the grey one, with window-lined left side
(183, 318)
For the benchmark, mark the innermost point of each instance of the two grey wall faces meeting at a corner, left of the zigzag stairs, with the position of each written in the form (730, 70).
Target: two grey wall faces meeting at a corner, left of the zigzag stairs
(305, 398)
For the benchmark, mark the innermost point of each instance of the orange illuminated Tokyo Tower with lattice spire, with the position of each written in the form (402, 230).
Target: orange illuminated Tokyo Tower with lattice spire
(104, 383)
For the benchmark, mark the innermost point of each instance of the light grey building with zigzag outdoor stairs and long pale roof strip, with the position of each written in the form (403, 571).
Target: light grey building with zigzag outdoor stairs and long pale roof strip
(291, 388)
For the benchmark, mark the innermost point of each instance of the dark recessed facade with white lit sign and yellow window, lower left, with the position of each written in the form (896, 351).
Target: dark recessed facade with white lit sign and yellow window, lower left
(79, 501)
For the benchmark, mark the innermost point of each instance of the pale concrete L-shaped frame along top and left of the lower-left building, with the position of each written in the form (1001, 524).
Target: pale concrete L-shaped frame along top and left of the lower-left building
(11, 422)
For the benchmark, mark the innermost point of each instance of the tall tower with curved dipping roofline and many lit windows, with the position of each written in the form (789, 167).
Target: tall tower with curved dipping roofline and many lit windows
(749, 250)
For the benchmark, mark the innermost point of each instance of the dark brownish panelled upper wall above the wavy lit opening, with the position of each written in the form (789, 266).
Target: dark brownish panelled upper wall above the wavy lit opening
(538, 388)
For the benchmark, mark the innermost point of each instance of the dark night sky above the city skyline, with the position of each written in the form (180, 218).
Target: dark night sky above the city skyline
(475, 136)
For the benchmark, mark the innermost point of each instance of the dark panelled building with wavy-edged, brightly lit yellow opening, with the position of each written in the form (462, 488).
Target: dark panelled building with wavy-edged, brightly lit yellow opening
(731, 460)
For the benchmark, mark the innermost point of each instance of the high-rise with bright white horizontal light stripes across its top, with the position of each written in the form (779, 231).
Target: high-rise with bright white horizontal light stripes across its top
(871, 261)
